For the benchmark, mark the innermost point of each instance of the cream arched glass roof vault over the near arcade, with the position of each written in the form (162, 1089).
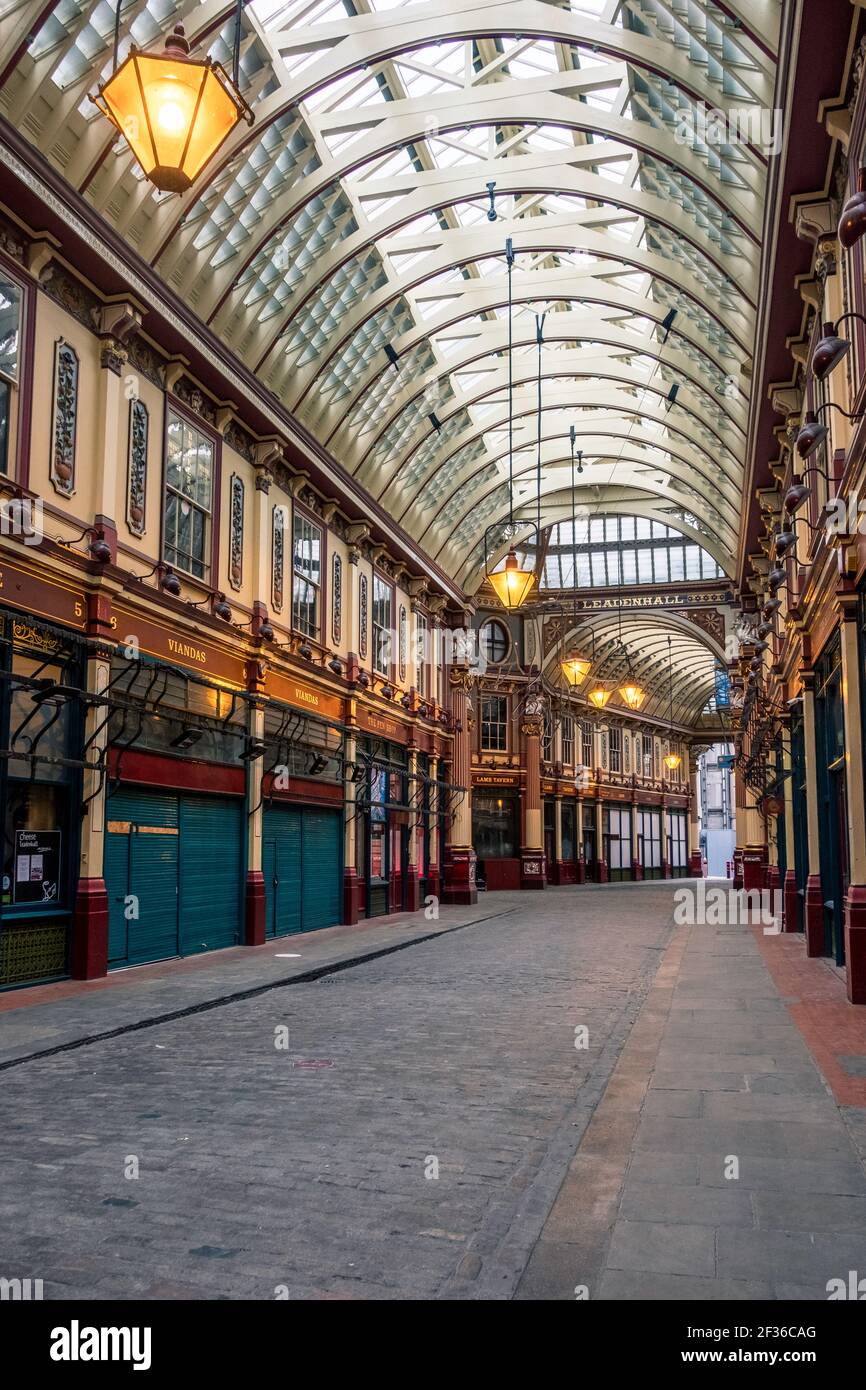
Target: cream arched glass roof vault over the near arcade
(355, 216)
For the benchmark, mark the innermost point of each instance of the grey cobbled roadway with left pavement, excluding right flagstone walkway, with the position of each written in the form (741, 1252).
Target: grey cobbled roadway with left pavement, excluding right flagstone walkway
(307, 1167)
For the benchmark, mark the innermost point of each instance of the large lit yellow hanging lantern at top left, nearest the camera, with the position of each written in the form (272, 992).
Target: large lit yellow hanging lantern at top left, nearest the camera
(174, 112)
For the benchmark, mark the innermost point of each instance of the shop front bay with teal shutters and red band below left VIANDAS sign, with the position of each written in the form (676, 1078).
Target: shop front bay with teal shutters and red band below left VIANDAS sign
(176, 810)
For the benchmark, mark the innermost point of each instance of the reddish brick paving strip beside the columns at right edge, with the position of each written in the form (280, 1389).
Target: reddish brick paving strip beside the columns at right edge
(815, 995)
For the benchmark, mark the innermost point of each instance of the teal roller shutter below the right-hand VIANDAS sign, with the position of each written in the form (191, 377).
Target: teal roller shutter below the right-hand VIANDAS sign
(301, 862)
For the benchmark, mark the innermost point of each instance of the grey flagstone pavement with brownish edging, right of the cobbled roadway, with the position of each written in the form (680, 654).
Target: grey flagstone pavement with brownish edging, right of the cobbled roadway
(740, 1175)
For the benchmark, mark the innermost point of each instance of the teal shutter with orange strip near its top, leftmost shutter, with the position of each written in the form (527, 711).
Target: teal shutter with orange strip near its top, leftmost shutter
(141, 872)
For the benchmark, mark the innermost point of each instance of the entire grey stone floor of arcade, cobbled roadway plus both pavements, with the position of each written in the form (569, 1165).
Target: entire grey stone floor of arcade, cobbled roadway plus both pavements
(305, 1171)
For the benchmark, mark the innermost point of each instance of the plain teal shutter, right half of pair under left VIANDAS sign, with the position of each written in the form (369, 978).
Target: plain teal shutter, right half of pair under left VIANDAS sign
(211, 874)
